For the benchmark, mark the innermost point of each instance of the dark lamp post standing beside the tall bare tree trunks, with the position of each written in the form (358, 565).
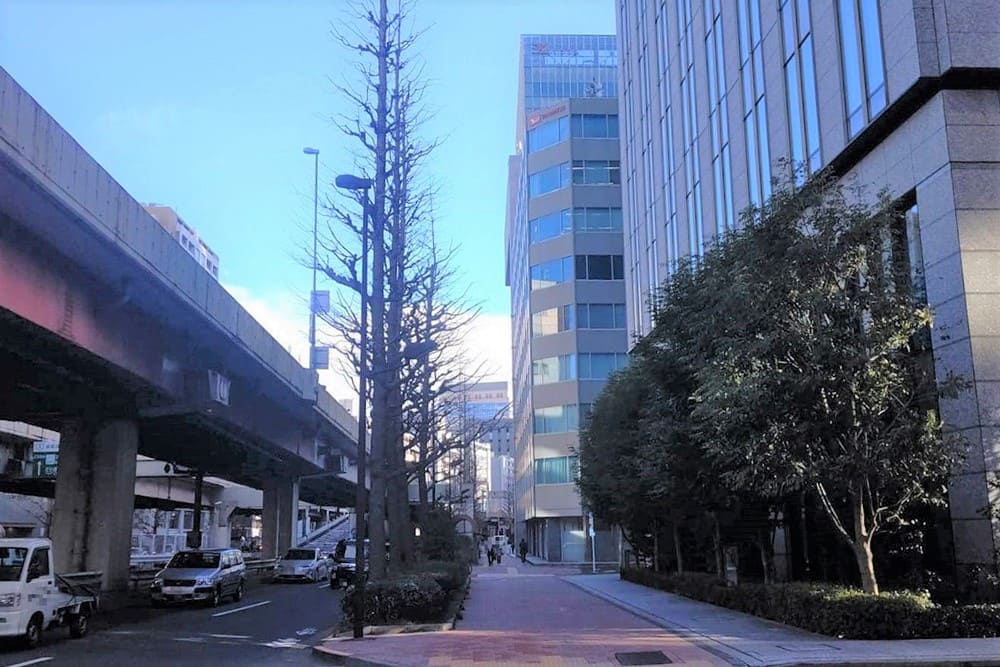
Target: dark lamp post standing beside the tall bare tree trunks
(356, 183)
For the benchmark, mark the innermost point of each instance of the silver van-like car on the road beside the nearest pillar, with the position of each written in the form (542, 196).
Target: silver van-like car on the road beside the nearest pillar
(207, 575)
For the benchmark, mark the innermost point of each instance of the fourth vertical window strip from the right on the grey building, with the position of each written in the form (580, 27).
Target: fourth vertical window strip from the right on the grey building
(718, 118)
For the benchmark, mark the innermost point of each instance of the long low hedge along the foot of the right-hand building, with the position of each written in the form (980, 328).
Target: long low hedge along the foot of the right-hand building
(833, 610)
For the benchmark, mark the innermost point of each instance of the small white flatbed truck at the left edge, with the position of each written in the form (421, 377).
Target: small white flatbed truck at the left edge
(34, 598)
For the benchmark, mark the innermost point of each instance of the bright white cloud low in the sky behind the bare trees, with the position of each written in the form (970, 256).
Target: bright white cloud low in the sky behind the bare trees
(285, 316)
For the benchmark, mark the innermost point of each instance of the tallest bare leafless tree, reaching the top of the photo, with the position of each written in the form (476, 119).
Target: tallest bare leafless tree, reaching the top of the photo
(387, 99)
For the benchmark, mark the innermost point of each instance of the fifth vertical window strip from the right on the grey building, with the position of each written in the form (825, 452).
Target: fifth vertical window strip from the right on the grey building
(692, 163)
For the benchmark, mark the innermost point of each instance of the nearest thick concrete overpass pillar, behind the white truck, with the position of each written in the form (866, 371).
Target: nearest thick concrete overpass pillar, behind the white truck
(95, 496)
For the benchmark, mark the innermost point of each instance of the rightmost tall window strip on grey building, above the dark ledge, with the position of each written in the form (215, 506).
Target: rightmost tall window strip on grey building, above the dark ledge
(864, 68)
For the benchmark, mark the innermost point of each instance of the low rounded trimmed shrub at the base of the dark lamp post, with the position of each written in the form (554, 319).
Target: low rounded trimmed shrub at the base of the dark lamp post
(413, 597)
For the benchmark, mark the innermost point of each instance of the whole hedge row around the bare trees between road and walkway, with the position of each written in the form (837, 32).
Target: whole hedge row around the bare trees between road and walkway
(420, 596)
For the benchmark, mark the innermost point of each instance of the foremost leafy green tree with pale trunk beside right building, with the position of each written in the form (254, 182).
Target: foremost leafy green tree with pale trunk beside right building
(813, 374)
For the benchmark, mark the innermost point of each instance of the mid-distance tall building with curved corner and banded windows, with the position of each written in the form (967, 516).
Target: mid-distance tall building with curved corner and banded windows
(565, 269)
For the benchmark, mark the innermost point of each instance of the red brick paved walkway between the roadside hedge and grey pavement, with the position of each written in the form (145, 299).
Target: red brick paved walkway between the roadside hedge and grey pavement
(527, 615)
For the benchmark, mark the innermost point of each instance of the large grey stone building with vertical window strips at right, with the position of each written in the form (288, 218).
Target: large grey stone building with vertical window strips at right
(898, 94)
